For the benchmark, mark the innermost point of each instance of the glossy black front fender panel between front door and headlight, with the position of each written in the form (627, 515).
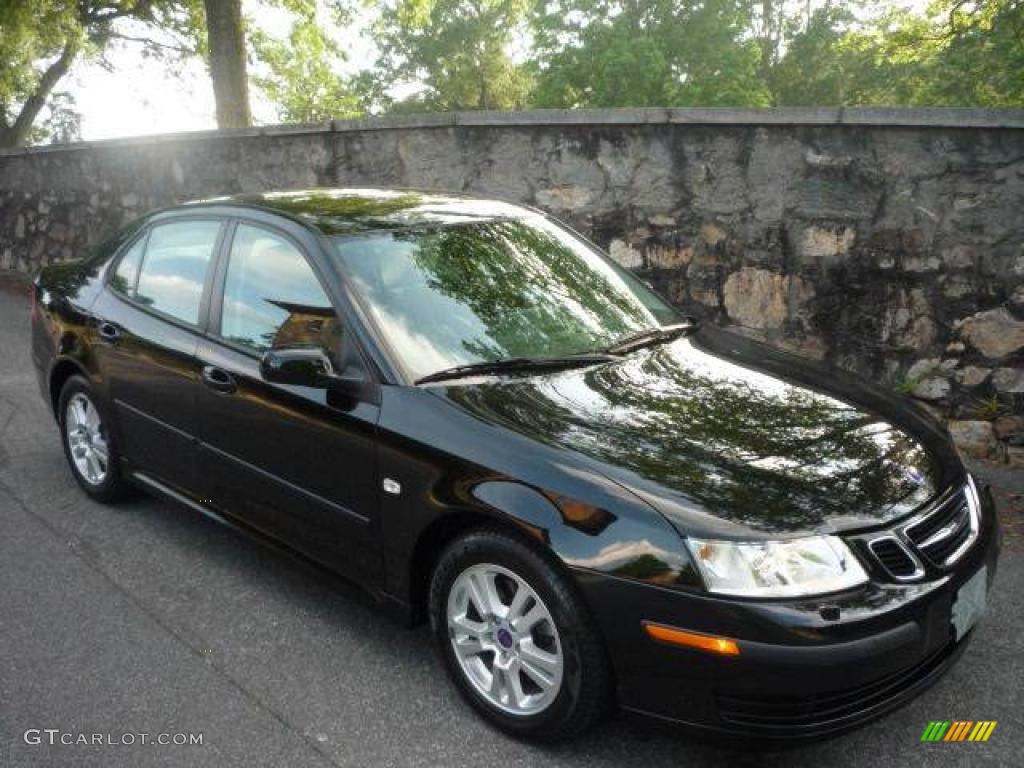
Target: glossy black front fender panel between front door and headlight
(449, 471)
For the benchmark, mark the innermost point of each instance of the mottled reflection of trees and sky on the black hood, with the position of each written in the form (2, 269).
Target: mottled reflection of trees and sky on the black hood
(758, 452)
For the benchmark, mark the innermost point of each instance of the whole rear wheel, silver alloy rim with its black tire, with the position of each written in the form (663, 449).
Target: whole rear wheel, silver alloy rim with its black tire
(88, 442)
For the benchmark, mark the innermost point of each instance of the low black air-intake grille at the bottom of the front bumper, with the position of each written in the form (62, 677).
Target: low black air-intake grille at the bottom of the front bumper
(767, 715)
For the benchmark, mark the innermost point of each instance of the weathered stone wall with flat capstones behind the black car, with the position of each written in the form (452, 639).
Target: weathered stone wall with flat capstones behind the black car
(888, 242)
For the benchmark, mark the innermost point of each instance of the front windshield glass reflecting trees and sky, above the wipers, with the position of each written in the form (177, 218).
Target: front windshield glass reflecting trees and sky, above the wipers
(486, 291)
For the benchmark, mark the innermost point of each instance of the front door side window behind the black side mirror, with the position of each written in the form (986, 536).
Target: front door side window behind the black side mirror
(273, 297)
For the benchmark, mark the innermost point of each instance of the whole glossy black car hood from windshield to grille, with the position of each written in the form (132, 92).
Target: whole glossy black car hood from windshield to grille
(729, 438)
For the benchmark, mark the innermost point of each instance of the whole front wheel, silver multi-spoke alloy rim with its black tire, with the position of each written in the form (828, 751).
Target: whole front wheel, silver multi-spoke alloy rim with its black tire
(517, 638)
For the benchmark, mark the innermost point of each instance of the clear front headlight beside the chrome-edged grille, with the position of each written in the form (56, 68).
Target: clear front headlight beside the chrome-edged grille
(792, 569)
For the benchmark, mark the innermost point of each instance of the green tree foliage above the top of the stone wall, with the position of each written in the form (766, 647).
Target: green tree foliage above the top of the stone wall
(506, 55)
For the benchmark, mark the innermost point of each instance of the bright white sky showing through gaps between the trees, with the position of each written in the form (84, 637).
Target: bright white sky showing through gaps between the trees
(140, 97)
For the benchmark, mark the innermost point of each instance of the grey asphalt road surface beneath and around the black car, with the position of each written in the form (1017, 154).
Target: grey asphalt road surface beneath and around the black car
(151, 619)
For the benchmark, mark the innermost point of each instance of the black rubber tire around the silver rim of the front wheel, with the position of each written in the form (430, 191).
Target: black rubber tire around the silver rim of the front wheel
(585, 694)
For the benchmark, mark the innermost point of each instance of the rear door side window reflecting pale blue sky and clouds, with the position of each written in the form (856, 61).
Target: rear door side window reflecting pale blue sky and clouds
(175, 268)
